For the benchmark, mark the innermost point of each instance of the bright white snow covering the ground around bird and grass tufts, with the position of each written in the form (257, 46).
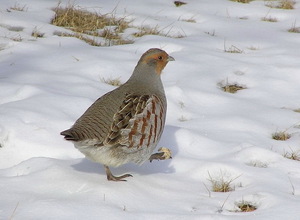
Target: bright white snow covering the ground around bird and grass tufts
(47, 83)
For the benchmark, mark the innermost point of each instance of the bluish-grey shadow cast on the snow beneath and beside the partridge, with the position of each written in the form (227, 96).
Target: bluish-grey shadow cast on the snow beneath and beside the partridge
(167, 140)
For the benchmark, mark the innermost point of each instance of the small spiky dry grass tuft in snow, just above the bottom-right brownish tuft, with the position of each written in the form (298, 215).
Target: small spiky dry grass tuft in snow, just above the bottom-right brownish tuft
(221, 183)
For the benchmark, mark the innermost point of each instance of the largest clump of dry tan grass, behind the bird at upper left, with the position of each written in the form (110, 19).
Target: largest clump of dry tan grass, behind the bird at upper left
(91, 27)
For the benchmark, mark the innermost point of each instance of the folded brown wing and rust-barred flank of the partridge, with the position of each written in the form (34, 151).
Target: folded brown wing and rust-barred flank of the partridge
(138, 123)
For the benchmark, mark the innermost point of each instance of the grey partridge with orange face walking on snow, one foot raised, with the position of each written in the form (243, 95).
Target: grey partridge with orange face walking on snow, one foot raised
(125, 125)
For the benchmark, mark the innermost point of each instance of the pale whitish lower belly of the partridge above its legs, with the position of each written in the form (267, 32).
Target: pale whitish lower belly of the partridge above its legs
(116, 155)
